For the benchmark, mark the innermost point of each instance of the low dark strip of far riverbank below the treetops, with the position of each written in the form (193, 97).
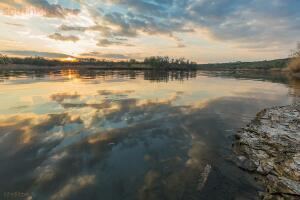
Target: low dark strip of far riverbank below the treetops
(37, 64)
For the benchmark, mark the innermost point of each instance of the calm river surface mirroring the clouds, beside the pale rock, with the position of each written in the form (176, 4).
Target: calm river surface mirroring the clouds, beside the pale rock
(128, 135)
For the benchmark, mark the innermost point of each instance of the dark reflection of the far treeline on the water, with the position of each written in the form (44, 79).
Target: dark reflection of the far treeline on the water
(151, 75)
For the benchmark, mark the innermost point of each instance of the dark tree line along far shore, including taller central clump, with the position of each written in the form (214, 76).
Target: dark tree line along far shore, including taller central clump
(157, 62)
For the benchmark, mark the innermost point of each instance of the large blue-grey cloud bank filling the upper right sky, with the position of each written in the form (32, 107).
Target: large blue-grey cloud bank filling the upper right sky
(243, 22)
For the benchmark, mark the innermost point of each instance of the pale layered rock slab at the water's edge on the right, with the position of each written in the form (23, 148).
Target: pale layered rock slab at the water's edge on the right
(270, 147)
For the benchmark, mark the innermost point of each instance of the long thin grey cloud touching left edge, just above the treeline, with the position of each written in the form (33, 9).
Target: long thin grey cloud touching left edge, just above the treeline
(35, 53)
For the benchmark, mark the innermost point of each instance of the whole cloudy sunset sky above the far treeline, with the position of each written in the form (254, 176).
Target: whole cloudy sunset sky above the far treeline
(204, 31)
